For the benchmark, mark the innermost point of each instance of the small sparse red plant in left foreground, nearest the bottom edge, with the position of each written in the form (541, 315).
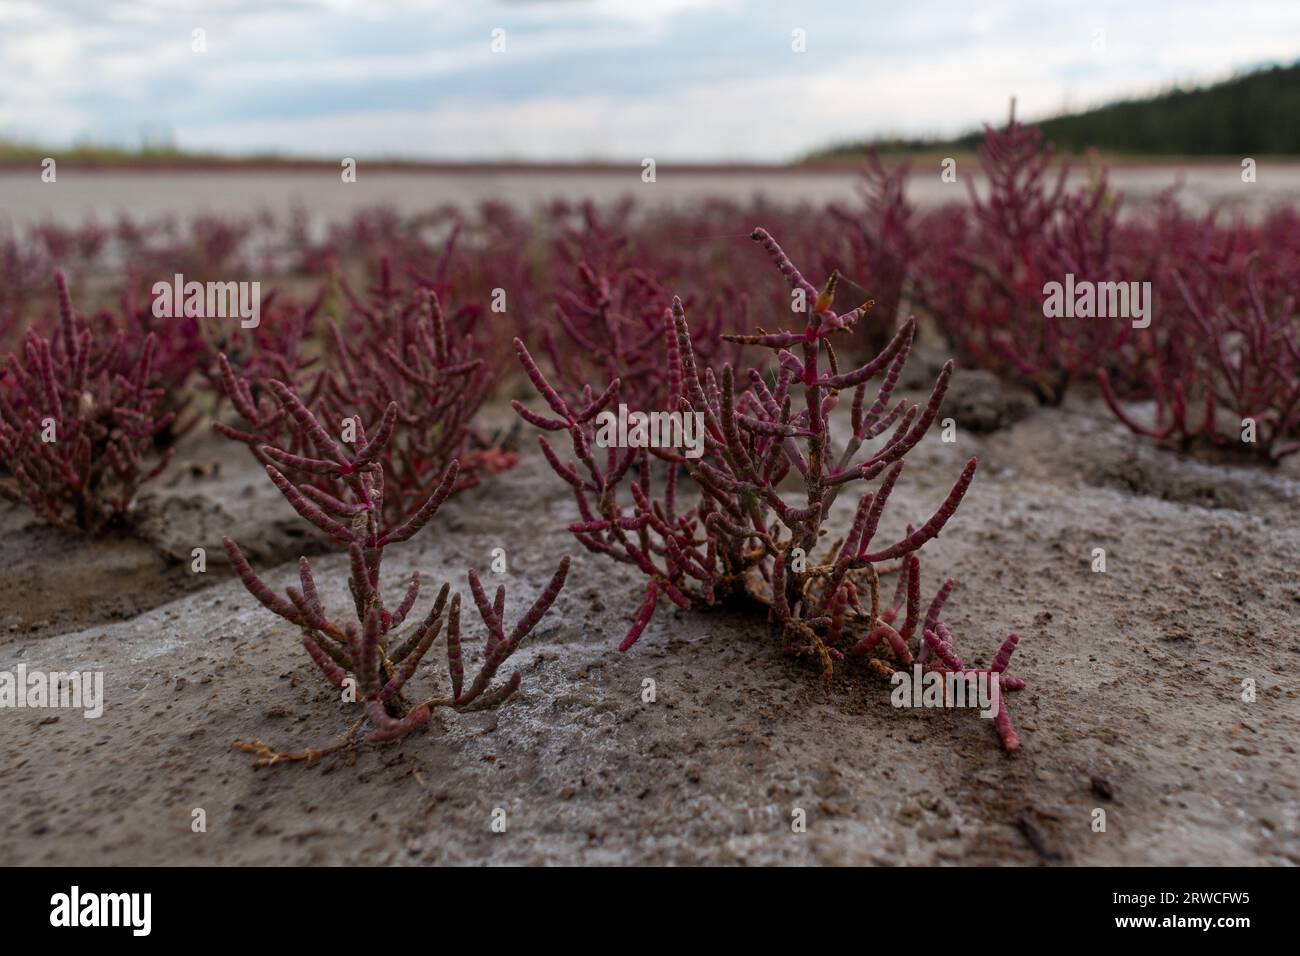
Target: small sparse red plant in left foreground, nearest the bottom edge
(370, 657)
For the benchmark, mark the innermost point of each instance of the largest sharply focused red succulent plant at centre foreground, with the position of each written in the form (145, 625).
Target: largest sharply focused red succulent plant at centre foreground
(720, 529)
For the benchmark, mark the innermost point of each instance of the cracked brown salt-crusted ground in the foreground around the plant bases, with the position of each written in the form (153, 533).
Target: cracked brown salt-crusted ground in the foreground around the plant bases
(1134, 702)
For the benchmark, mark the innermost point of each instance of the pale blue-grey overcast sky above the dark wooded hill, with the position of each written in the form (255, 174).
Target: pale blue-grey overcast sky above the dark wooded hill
(613, 80)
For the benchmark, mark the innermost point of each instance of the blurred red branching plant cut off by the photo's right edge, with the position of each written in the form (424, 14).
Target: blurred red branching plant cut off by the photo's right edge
(1221, 365)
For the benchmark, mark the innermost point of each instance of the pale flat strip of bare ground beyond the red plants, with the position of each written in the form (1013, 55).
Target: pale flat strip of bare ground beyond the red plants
(252, 192)
